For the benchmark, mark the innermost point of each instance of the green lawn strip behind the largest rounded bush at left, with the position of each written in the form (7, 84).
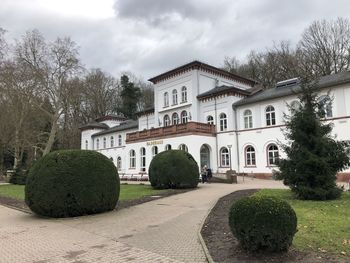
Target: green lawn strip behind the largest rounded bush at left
(127, 192)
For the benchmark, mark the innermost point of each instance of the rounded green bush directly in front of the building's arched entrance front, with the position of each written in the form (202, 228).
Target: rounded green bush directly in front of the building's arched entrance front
(173, 169)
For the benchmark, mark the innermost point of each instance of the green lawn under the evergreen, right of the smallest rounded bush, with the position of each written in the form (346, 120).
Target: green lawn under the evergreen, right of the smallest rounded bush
(323, 226)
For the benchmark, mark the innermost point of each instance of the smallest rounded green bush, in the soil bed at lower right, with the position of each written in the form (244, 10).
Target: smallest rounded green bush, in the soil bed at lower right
(263, 223)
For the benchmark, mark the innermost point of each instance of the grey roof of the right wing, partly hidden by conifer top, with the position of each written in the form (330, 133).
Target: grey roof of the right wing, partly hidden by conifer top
(278, 92)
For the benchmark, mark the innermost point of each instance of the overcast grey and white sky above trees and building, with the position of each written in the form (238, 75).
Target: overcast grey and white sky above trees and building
(148, 37)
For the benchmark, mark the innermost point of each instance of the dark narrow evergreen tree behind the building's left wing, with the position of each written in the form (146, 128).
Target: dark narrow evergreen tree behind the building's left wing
(130, 97)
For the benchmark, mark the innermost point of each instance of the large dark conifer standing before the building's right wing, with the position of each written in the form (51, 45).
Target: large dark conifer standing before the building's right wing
(313, 155)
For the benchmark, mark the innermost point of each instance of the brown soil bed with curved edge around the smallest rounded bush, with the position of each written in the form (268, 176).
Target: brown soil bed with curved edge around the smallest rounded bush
(224, 247)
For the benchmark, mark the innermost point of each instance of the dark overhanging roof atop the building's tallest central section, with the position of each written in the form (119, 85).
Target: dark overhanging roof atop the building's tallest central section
(206, 67)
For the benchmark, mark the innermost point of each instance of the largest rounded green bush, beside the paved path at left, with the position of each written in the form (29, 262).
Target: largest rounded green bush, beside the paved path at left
(72, 183)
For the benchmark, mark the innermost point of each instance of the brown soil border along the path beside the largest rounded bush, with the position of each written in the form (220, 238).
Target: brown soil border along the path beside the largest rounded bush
(21, 205)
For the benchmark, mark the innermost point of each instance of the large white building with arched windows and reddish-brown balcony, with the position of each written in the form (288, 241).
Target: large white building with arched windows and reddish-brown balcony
(222, 119)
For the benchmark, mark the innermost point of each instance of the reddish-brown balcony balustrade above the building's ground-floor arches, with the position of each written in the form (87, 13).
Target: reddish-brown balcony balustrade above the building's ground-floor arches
(190, 128)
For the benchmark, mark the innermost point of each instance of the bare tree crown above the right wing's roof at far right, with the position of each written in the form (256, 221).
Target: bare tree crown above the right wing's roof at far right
(325, 47)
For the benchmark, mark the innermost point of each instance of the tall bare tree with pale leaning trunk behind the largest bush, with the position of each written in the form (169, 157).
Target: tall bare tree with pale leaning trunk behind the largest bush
(51, 64)
